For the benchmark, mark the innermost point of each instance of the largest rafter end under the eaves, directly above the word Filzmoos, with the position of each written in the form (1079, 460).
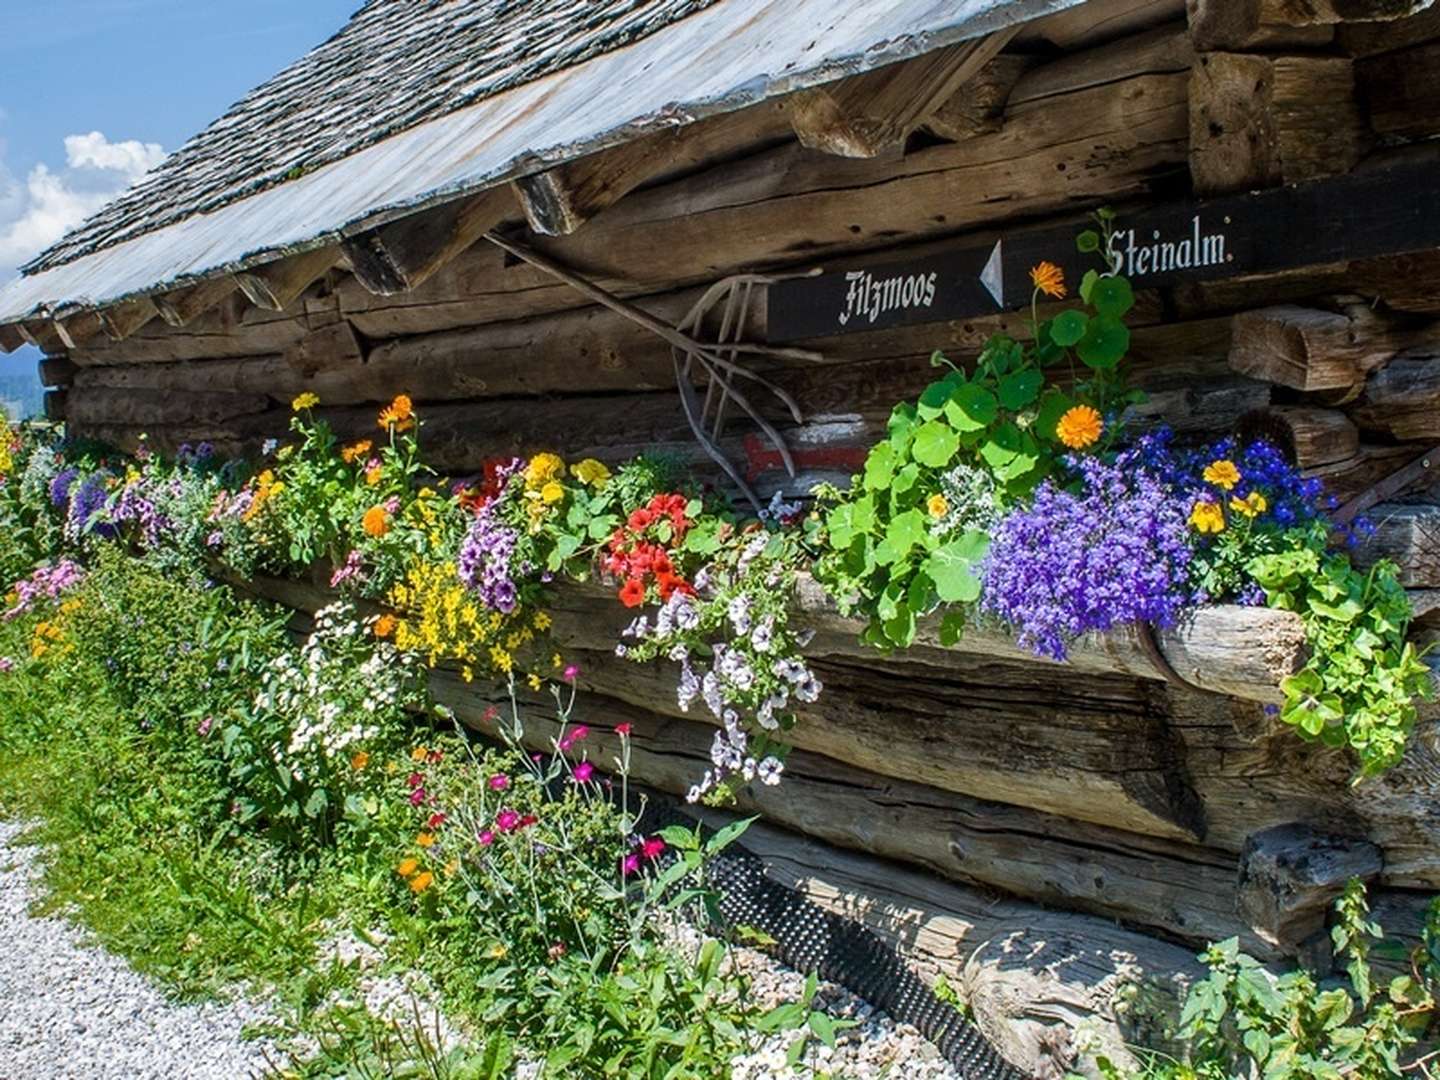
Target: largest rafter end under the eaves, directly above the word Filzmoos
(872, 114)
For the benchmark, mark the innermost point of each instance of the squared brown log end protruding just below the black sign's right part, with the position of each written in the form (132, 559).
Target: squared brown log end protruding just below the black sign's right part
(1308, 349)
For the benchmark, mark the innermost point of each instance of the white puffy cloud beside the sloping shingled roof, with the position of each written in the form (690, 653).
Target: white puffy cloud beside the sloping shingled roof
(38, 211)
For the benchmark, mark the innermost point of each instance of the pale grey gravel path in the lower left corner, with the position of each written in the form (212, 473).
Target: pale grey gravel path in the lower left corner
(71, 1010)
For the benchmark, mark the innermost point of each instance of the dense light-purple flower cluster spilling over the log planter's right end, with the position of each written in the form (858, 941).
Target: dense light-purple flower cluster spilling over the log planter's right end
(1118, 552)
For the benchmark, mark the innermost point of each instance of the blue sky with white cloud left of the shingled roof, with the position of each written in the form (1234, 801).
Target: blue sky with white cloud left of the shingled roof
(96, 91)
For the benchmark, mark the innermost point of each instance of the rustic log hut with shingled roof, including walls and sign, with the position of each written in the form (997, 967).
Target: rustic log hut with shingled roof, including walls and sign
(522, 215)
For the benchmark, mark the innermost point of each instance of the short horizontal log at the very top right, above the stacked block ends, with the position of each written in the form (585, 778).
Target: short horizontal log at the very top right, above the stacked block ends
(1259, 24)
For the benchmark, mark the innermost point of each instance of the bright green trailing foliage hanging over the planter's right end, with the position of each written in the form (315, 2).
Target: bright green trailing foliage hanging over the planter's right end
(1363, 678)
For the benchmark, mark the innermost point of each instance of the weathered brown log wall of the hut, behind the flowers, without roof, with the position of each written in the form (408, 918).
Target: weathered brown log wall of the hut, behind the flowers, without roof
(1094, 788)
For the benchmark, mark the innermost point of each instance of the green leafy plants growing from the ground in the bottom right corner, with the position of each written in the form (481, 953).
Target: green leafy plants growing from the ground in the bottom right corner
(1245, 1022)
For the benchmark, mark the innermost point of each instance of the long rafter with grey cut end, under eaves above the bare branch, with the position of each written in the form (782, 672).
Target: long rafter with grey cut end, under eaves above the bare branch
(558, 201)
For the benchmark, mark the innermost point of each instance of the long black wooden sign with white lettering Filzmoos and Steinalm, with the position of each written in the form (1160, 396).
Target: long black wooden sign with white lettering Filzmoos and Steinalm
(1392, 211)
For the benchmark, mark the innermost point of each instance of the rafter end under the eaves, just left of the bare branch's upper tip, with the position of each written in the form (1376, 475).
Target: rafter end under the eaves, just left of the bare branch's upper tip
(402, 256)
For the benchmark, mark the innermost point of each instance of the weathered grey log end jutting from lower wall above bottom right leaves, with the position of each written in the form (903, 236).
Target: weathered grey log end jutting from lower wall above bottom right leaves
(1292, 875)
